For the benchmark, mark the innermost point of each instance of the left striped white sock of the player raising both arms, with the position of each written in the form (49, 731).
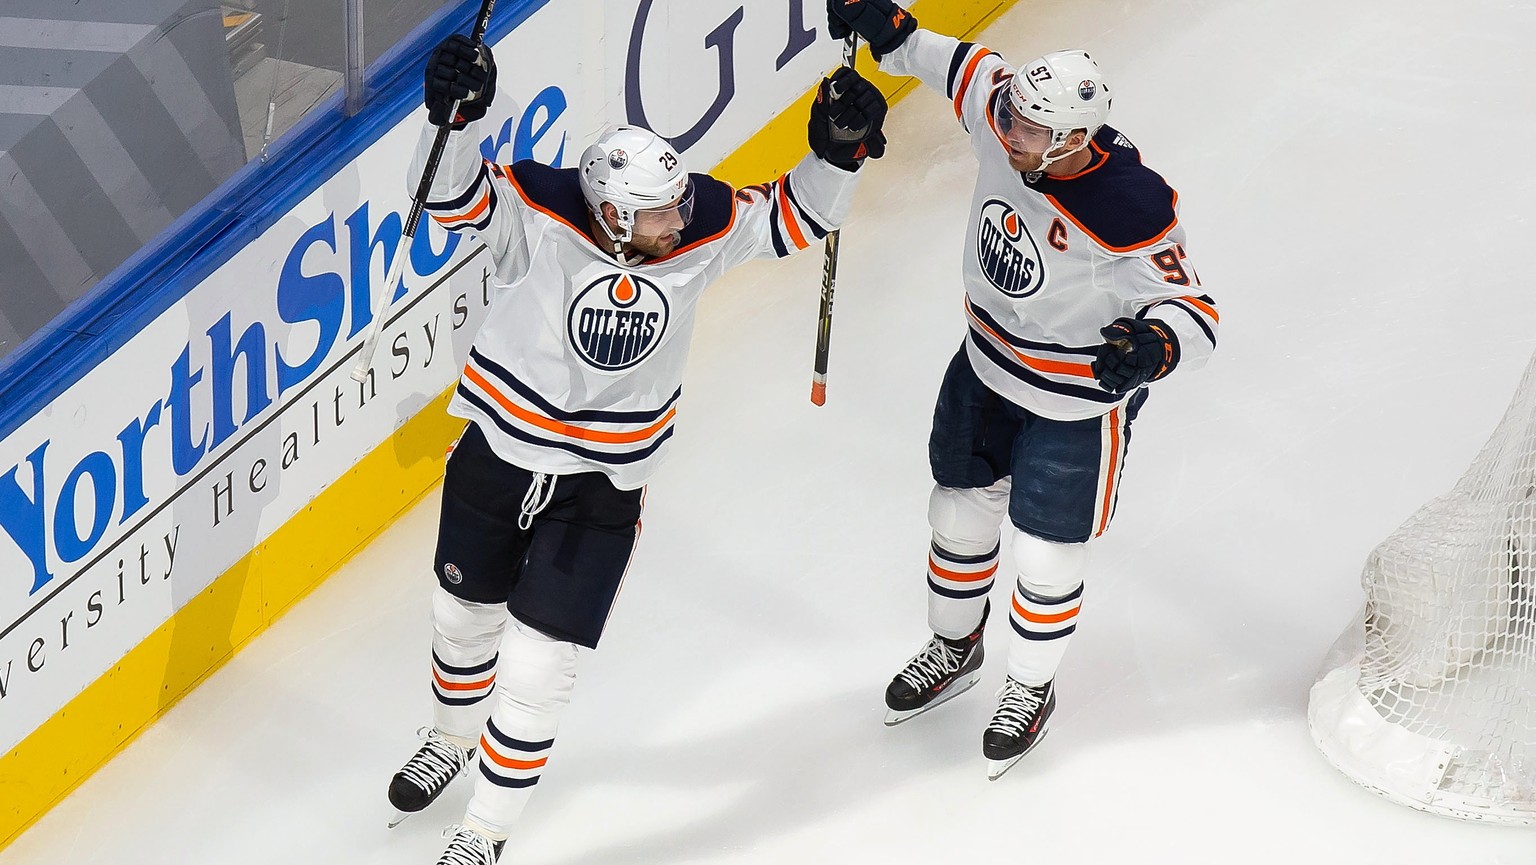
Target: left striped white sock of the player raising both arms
(465, 646)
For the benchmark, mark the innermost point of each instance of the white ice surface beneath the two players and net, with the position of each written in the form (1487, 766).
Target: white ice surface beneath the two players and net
(1356, 184)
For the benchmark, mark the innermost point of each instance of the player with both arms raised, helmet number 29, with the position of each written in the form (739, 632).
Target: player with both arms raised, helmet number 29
(572, 393)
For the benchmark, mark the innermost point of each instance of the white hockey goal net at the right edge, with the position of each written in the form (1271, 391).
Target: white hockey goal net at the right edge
(1431, 697)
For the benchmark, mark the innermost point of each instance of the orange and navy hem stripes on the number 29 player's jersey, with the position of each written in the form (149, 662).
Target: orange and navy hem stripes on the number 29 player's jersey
(604, 437)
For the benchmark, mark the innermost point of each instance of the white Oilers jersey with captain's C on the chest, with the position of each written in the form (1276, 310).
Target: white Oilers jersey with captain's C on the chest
(1048, 263)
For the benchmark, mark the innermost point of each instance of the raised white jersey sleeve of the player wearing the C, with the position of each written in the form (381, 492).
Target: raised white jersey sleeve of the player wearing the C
(964, 71)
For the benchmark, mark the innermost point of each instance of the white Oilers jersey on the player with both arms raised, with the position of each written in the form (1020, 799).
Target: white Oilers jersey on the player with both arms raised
(578, 366)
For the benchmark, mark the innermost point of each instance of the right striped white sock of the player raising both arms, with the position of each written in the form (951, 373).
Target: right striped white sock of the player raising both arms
(538, 674)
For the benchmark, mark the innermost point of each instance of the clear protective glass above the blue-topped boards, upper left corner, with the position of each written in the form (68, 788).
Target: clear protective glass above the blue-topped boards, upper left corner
(118, 118)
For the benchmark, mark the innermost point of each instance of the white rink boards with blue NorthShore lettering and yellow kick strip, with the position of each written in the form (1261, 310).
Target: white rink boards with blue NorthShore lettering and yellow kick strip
(190, 463)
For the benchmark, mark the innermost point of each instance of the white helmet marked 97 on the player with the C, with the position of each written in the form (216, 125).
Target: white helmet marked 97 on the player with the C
(1062, 91)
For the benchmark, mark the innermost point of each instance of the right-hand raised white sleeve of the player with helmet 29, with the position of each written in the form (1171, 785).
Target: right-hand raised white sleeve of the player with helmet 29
(792, 213)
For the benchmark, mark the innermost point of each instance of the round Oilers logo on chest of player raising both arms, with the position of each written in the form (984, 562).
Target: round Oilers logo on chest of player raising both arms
(617, 322)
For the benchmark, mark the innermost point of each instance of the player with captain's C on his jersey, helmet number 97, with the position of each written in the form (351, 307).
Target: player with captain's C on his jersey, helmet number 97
(1079, 293)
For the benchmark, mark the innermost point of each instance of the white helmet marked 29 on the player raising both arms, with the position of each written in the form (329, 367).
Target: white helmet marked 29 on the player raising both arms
(637, 171)
